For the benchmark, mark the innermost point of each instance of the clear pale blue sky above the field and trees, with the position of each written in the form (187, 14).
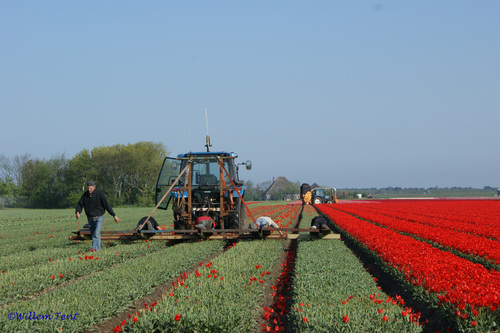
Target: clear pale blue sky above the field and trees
(342, 93)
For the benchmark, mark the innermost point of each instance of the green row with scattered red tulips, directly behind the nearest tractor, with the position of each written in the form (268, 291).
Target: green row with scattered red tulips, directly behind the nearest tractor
(221, 296)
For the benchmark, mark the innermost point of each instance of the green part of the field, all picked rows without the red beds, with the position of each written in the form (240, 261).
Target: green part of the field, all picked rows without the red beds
(50, 284)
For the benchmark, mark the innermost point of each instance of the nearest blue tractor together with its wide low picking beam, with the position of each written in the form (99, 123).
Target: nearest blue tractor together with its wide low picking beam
(206, 196)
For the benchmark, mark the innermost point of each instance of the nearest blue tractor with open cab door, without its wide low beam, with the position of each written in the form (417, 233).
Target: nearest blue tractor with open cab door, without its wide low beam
(203, 184)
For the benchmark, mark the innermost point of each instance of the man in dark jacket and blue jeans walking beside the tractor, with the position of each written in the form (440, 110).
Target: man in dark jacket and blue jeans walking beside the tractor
(95, 204)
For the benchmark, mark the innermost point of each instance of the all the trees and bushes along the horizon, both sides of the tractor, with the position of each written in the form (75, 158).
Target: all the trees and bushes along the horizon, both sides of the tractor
(128, 173)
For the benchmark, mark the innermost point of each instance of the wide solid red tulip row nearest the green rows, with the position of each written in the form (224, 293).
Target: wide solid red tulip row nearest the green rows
(467, 290)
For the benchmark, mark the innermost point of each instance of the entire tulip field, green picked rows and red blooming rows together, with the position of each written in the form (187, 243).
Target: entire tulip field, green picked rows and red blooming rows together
(400, 266)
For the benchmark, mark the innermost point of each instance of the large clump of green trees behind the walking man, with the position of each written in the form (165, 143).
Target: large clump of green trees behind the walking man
(126, 173)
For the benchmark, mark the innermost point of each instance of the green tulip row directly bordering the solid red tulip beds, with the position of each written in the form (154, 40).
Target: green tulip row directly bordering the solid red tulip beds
(334, 293)
